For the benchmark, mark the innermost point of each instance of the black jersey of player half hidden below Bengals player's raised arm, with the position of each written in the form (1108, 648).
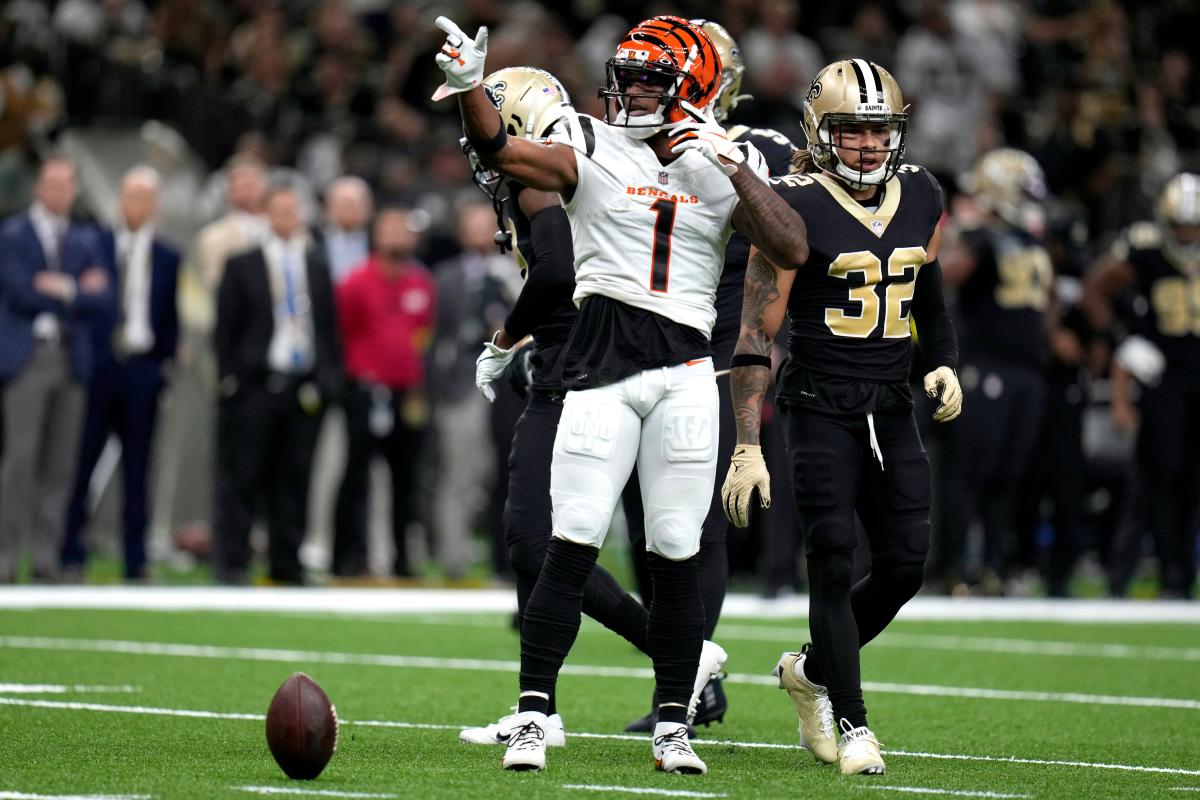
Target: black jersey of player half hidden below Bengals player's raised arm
(545, 309)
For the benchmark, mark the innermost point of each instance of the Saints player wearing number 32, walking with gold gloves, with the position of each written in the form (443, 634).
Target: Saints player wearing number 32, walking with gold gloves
(844, 394)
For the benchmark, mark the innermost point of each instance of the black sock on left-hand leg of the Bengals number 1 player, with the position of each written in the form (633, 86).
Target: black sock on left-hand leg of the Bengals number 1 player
(553, 616)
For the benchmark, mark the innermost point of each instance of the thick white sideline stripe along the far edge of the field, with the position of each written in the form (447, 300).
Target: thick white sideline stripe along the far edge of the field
(427, 601)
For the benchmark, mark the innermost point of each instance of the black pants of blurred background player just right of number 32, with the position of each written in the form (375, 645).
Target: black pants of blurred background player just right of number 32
(988, 450)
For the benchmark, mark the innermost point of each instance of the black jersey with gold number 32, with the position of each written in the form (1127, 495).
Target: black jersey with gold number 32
(850, 303)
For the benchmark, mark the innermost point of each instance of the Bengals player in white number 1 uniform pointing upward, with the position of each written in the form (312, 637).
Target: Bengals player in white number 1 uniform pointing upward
(653, 195)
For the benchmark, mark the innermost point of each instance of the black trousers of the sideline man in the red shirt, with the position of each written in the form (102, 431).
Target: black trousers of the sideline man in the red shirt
(389, 436)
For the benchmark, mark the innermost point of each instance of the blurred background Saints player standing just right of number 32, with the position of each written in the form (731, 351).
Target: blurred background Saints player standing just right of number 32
(1005, 281)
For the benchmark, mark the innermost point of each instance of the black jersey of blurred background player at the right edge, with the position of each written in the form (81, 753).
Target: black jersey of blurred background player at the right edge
(1168, 309)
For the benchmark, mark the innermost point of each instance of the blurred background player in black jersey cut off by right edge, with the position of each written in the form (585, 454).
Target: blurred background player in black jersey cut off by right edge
(1160, 348)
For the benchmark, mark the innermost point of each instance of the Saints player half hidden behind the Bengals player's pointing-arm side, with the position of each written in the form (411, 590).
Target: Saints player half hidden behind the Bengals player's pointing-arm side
(536, 227)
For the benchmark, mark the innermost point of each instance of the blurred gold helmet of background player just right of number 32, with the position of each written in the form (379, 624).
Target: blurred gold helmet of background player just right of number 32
(1010, 184)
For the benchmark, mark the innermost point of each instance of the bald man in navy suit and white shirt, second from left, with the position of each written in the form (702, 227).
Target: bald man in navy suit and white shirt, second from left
(133, 351)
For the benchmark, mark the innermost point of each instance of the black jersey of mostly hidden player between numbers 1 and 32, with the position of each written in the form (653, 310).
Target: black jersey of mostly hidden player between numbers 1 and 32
(777, 151)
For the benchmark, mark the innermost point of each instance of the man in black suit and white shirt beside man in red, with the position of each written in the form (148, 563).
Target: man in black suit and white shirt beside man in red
(279, 364)
